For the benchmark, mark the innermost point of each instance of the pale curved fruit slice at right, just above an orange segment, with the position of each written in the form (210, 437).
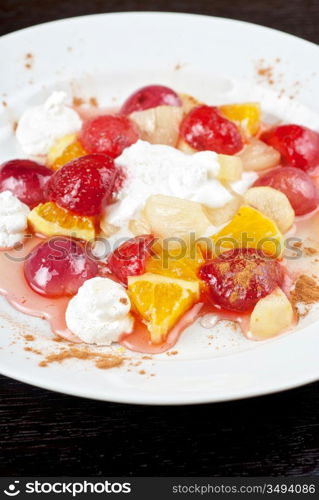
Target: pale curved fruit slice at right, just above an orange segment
(272, 203)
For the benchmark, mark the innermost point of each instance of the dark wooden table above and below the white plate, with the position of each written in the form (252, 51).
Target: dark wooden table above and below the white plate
(42, 433)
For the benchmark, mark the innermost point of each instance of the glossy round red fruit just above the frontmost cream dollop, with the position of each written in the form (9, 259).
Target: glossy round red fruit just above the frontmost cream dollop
(58, 267)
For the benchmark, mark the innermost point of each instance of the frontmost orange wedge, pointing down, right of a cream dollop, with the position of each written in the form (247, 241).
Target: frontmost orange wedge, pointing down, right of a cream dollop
(161, 301)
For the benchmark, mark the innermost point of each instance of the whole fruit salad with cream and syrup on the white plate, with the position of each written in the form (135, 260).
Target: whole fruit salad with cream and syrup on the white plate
(128, 226)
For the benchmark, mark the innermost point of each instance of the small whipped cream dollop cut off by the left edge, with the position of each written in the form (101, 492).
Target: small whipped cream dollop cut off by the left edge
(13, 219)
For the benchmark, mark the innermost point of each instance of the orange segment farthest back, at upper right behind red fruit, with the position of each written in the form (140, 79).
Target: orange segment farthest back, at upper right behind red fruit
(245, 115)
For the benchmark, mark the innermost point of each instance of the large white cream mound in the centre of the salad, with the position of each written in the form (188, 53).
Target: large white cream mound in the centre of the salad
(158, 169)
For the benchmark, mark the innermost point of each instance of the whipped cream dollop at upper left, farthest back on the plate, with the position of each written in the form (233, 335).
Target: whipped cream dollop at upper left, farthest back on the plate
(40, 126)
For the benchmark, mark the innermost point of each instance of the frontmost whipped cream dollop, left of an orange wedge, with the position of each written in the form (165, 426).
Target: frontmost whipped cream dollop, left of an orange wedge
(100, 312)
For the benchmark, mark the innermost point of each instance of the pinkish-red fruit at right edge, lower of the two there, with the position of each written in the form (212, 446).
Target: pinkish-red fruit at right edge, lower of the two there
(296, 185)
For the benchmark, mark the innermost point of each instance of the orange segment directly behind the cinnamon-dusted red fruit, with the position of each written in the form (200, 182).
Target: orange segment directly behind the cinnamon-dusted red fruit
(249, 228)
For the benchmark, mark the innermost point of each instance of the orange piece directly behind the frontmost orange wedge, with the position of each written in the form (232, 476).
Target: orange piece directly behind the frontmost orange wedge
(174, 263)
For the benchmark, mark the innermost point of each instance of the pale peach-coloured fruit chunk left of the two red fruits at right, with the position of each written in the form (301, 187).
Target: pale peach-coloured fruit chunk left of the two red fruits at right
(258, 156)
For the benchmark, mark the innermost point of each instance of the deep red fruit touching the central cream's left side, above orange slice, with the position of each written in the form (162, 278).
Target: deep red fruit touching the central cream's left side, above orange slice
(83, 185)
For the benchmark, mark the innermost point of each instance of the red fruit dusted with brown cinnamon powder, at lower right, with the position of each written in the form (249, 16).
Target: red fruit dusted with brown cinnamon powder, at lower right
(239, 278)
